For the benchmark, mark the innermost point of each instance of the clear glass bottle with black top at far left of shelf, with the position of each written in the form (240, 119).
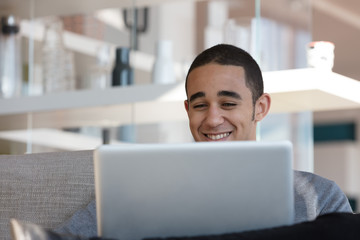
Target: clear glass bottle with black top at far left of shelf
(10, 58)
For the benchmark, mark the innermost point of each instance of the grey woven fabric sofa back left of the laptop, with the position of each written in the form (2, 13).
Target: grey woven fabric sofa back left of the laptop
(44, 188)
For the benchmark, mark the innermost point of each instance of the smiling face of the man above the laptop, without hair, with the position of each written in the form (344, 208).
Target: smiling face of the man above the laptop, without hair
(219, 104)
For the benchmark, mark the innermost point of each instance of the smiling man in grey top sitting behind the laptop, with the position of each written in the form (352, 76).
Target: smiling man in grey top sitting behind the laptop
(226, 100)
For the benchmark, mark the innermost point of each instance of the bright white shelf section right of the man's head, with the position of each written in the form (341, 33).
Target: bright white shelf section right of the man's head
(311, 89)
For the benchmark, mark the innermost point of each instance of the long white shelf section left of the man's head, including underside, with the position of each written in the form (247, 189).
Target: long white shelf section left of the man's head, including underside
(108, 107)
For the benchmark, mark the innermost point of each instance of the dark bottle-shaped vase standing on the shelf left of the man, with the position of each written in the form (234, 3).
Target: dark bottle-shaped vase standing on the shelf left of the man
(122, 74)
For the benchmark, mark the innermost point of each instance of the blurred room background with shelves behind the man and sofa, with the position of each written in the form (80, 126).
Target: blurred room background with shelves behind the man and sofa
(77, 74)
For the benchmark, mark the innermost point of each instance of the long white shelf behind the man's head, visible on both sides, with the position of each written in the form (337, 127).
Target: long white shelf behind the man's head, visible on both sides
(291, 91)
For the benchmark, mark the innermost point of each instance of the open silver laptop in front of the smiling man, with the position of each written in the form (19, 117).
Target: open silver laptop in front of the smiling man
(191, 189)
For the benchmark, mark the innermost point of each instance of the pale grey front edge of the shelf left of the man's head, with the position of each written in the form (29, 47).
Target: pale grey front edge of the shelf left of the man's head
(90, 98)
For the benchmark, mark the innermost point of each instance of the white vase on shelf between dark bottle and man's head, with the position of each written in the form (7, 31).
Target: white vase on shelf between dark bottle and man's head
(163, 69)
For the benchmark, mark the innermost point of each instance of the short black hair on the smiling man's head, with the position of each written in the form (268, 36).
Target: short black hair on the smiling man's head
(225, 54)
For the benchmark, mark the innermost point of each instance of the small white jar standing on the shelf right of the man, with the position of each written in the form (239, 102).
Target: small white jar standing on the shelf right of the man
(320, 54)
